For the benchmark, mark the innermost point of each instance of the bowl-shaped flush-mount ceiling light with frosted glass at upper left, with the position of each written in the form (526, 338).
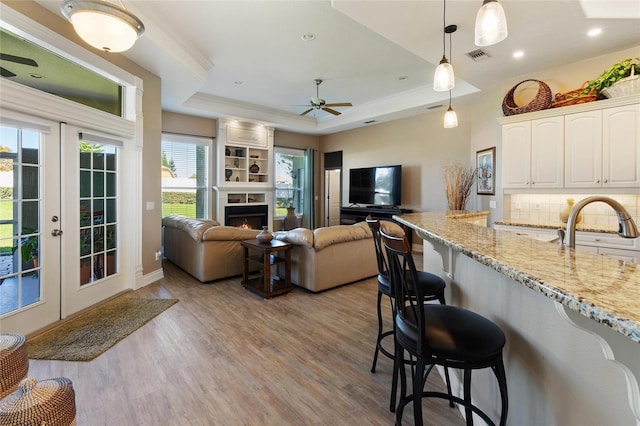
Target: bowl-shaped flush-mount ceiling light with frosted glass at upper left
(105, 26)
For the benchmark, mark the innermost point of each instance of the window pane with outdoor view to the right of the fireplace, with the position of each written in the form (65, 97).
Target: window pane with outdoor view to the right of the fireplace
(289, 180)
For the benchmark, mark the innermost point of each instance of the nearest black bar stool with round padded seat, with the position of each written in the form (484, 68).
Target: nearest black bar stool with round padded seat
(439, 335)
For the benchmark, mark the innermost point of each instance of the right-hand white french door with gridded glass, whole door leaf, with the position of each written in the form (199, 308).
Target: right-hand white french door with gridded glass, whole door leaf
(91, 181)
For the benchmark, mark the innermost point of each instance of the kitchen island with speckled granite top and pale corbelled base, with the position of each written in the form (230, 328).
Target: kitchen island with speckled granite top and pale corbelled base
(572, 320)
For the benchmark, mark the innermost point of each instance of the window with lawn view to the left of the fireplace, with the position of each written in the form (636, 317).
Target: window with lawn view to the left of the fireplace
(185, 172)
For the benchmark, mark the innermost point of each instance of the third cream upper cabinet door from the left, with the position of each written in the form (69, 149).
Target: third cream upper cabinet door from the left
(583, 150)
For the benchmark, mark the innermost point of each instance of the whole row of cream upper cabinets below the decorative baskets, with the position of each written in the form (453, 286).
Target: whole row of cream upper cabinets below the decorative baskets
(593, 145)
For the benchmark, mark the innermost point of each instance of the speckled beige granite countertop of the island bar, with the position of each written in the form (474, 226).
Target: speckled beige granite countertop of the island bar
(602, 288)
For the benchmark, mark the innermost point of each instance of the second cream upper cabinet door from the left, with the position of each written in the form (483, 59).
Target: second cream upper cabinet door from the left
(547, 153)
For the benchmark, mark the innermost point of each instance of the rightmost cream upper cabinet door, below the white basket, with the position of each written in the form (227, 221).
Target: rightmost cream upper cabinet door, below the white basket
(621, 146)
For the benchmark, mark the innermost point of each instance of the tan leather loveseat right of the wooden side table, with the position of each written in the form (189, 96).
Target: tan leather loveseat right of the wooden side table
(331, 256)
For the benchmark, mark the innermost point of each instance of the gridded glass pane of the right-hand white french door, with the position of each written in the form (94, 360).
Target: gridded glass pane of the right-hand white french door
(98, 226)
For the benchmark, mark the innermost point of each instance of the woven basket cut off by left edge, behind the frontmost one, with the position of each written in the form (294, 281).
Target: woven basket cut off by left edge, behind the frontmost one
(14, 362)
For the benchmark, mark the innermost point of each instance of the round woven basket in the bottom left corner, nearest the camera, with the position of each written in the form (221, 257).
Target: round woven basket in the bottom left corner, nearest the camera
(48, 402)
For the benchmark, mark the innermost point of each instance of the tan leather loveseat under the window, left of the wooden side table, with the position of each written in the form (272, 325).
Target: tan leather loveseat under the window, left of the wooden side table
(204, 248)
